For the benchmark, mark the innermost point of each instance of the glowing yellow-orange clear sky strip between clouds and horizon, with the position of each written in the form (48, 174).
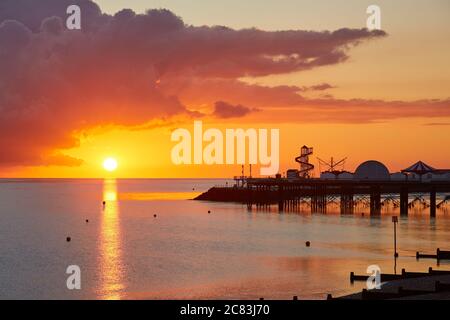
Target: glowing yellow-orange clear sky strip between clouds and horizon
(147, 153)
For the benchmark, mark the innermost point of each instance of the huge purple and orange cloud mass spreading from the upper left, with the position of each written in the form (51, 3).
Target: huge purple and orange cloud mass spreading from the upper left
(129, 69)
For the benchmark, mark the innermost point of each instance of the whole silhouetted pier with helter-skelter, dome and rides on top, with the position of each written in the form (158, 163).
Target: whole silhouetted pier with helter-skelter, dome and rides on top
(371, 185)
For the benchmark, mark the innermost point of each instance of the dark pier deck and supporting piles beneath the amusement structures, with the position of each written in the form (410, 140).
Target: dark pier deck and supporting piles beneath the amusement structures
(318, 193)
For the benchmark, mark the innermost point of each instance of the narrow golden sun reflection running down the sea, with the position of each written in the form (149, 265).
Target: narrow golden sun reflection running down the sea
(111, 273)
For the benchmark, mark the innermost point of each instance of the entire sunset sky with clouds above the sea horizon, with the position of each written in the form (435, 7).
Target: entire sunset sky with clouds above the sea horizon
(121, 85)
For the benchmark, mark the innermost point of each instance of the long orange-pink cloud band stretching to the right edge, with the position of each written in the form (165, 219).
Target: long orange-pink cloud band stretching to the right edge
(296, 107)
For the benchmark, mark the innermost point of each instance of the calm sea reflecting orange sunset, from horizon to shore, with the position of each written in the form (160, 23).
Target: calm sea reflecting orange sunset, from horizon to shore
(124, 252)
